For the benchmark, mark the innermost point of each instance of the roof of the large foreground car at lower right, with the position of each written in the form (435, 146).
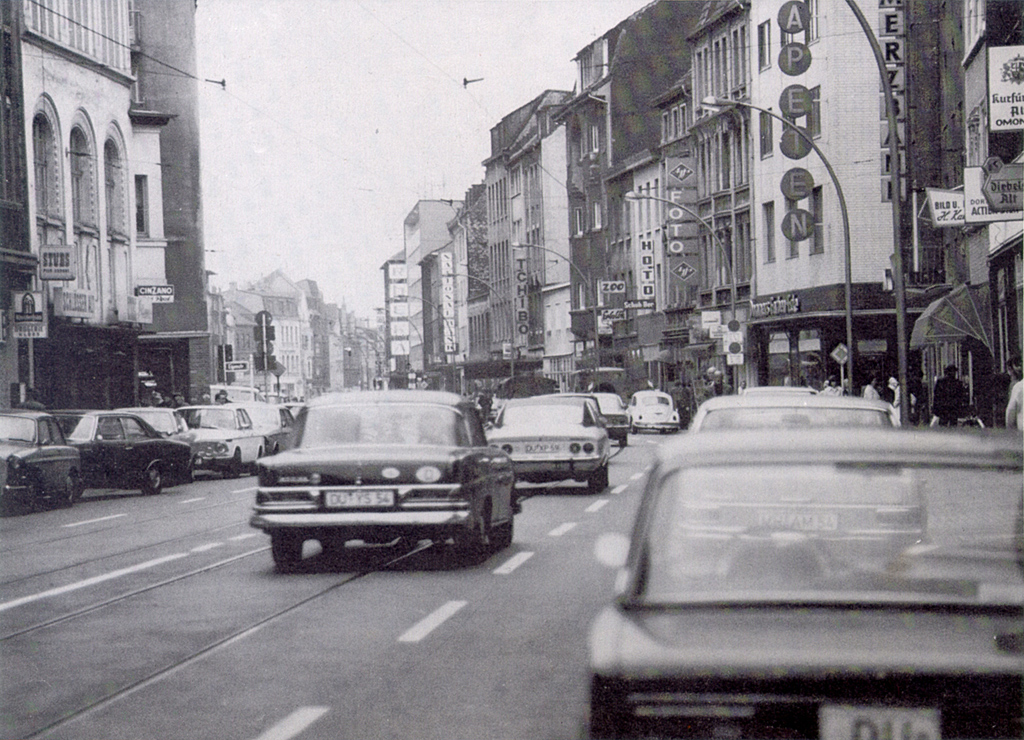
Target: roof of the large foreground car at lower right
(863, 446)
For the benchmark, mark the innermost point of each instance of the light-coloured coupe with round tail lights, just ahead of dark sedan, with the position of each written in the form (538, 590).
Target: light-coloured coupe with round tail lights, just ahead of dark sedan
(554, 438)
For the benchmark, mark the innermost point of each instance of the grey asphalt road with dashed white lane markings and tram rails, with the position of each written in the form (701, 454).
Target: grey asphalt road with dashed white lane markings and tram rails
(162, 618)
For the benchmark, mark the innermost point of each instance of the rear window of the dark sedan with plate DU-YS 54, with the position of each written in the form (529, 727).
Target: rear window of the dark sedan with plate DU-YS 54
(417, 424)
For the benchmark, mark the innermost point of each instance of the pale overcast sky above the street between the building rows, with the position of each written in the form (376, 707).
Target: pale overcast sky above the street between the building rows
(338, 116)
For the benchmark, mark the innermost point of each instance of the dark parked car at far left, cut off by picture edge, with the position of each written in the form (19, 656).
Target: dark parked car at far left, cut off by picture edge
(36, 463)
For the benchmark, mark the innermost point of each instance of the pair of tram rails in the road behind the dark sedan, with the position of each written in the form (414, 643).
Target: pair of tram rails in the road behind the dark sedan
(209, 649)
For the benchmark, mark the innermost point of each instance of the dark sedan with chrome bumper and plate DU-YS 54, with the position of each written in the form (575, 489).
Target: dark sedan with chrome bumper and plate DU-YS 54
(379, 466)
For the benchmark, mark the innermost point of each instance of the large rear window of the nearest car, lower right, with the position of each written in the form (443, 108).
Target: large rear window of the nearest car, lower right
(835, 533)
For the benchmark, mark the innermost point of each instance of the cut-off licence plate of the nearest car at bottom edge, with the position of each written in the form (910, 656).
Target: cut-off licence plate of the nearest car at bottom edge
(849, 723)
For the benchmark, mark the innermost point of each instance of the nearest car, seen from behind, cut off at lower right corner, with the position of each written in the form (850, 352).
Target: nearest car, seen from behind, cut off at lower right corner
(787, 586)
